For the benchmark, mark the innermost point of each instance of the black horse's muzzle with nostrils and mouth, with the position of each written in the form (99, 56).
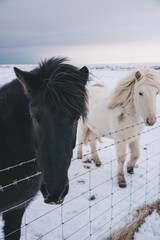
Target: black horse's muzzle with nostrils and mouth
(54, 198)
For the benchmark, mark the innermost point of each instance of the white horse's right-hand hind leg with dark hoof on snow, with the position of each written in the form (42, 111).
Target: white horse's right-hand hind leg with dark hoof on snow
(95, 156)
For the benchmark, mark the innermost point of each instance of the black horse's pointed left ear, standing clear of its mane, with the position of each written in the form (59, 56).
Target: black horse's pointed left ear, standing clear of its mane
(28, 80)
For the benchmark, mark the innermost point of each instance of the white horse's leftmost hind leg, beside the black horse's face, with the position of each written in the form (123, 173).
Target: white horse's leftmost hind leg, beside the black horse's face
(82, 135)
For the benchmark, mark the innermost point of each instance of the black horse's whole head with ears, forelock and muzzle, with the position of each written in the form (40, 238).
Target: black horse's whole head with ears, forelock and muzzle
(57, 98)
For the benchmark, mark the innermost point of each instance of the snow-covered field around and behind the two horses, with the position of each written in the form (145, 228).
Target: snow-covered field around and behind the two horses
(80, 218)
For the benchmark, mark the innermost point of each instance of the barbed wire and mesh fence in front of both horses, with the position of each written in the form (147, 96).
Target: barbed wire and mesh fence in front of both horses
(92, 188)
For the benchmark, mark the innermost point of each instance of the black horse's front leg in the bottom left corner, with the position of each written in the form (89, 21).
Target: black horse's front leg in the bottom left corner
(12, 224)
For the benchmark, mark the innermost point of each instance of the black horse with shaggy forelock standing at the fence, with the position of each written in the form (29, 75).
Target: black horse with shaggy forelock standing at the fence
(38, 119)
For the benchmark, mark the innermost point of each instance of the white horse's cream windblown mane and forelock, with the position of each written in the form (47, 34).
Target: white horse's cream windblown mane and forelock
(123, 94)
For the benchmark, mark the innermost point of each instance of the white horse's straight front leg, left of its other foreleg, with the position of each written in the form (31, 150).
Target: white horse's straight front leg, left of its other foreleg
(121, 154)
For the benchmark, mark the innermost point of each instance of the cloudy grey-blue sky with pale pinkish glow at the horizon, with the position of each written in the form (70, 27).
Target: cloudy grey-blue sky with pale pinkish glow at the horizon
(86, 31)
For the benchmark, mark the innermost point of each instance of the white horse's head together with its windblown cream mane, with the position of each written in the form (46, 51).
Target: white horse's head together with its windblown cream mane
(137, 92)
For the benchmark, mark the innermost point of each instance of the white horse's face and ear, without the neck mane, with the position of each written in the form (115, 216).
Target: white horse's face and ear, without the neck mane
(145, 91)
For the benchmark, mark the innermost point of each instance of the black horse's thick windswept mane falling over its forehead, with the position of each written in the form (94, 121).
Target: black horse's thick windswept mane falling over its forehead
(65, 85)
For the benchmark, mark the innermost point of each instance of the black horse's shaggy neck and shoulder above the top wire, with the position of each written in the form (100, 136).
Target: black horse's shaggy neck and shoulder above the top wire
(15, 125)
